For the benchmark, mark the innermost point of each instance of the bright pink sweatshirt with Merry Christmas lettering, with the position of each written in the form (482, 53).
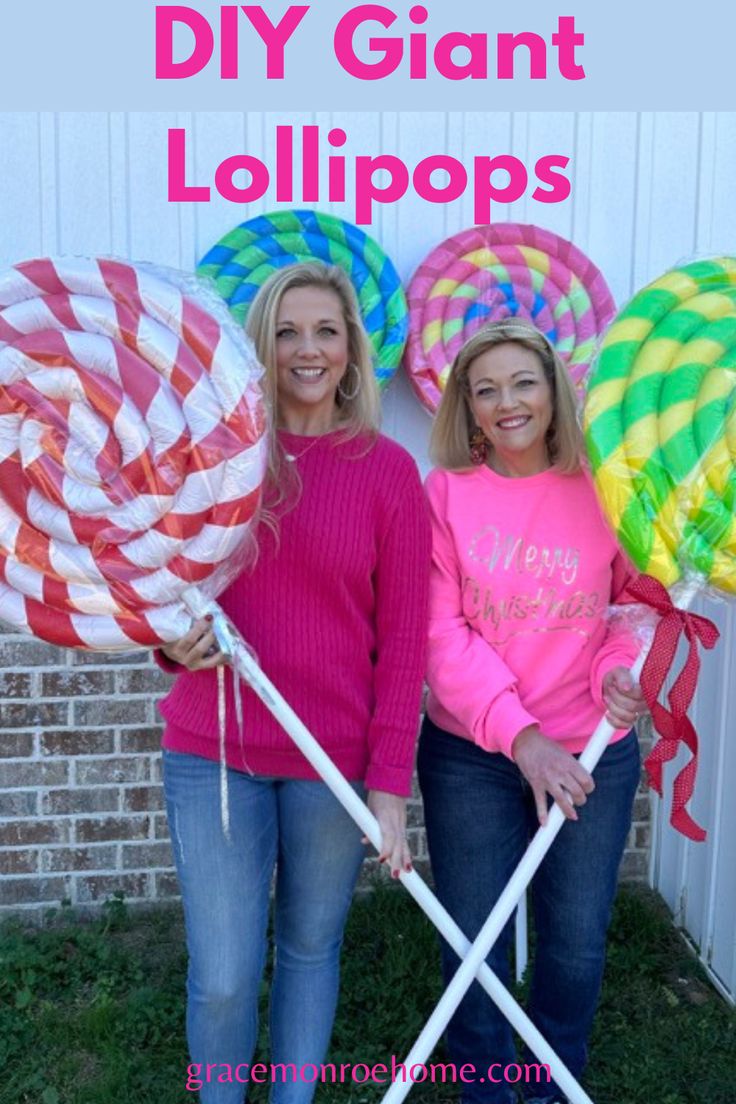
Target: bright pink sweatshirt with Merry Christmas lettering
(524, 575)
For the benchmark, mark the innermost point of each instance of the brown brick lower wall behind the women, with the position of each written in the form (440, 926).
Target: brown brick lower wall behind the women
(81, 802)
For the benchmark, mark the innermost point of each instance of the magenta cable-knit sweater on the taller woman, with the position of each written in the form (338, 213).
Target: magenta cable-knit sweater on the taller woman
(337, 613)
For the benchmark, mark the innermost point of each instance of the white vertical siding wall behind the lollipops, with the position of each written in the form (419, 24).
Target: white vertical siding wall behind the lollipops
(648, 192)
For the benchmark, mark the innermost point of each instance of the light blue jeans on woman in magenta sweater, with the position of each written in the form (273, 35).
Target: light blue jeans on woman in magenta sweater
(302, 831)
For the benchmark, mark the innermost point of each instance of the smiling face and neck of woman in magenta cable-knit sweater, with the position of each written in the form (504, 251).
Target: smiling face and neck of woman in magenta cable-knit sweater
(312, 351)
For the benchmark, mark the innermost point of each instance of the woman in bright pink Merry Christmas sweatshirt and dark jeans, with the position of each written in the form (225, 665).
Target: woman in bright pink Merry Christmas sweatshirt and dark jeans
(524, 661)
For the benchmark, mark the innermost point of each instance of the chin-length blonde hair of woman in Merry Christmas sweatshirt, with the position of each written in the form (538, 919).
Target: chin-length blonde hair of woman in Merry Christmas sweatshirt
(450, 445)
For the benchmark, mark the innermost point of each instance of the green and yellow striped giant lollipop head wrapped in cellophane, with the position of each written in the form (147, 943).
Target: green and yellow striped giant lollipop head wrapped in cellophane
(660, 424)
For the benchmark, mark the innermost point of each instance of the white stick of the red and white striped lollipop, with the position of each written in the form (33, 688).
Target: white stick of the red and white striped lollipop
(247, 666)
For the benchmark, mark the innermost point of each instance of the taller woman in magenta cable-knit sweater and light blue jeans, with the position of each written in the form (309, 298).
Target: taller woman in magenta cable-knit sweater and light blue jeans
(336, 610)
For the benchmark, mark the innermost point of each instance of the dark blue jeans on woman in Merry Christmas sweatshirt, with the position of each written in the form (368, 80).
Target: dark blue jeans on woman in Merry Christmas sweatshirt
(479, 812)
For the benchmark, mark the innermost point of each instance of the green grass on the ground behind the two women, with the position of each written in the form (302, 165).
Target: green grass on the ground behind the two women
(93, 1013)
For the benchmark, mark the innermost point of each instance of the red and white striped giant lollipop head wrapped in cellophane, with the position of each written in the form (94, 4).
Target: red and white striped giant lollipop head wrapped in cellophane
(133, 451)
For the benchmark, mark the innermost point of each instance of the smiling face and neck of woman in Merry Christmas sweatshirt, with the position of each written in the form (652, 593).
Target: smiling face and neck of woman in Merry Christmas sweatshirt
(511, 401)
